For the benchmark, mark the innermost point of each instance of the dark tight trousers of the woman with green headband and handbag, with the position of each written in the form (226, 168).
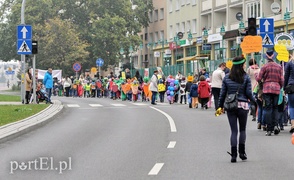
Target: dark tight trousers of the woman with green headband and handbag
(235, 118)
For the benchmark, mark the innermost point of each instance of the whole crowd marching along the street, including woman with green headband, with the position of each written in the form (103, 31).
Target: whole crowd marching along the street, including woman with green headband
(267, 92)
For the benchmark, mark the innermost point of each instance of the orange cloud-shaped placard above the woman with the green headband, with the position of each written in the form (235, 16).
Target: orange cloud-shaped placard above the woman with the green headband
(251, 44)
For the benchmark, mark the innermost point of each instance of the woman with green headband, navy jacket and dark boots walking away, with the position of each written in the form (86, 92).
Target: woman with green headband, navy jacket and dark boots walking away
(237, 81)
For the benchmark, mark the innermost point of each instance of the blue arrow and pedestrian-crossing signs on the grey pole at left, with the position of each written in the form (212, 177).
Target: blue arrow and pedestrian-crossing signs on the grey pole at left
(24, 39)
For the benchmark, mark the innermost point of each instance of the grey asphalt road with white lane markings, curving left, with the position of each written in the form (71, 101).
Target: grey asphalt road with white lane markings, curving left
(108, 139)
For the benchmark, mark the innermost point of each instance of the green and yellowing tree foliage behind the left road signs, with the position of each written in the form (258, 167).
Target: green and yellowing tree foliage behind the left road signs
(68, 30)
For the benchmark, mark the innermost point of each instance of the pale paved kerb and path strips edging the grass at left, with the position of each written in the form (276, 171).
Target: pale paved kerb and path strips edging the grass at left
(18, 128)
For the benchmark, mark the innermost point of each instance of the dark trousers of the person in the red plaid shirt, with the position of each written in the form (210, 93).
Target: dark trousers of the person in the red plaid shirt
(270, 110)
